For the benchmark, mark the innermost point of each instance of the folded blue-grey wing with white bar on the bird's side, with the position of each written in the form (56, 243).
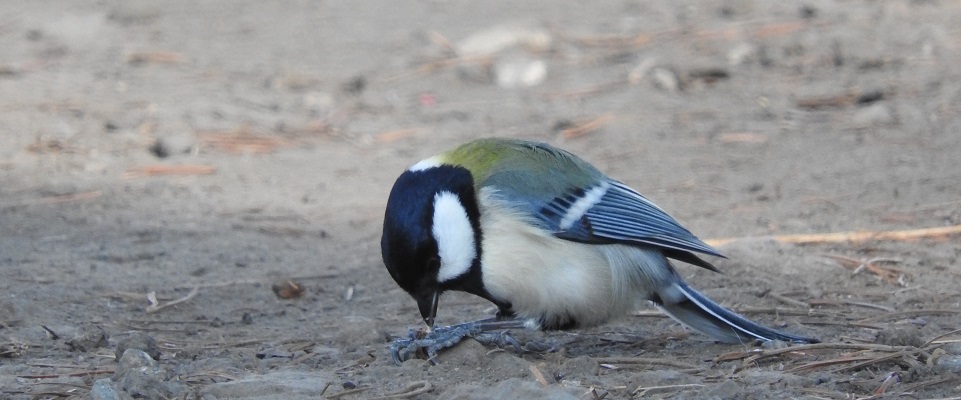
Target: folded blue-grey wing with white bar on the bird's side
(611, 212)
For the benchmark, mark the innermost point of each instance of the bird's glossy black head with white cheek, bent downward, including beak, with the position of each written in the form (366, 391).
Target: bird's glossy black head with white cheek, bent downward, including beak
(431, 239)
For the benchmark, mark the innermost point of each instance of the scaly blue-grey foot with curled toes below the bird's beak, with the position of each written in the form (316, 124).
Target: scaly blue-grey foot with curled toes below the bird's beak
(420, 342)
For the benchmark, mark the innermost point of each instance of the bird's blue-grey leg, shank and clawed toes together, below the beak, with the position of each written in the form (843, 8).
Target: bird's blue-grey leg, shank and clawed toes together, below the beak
(487, 331)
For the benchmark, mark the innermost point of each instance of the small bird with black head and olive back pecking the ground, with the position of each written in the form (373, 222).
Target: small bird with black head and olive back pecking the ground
(550, 240)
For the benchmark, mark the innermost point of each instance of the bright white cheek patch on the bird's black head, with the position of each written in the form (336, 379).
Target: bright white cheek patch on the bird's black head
(454, 235)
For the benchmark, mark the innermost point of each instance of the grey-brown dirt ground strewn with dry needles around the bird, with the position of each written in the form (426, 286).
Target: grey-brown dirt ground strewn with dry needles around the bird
(165, 166)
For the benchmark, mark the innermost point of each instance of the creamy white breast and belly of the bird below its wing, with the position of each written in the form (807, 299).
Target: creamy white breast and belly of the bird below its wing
(552, 279)
